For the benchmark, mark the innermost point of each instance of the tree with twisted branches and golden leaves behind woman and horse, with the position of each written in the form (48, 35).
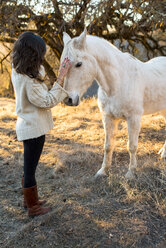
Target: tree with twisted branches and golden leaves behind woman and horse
(128, 21)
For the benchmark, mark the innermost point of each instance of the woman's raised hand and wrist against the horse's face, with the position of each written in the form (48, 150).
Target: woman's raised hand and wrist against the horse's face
(64, 67)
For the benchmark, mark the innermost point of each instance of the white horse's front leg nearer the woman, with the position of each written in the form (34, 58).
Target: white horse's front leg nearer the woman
(110, 128)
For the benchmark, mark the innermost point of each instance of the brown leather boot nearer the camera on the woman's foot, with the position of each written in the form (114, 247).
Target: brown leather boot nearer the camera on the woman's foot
(31, 198)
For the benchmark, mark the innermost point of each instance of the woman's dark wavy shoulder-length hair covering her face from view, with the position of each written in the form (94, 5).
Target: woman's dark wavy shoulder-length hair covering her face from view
(28, 54)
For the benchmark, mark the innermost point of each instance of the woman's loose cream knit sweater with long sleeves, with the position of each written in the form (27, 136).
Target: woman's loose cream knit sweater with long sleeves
(33, 103)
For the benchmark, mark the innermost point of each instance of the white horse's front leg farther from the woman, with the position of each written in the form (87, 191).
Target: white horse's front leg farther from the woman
(134, 124)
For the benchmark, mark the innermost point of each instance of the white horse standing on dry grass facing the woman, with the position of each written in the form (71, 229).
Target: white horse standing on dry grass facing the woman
(128, 88)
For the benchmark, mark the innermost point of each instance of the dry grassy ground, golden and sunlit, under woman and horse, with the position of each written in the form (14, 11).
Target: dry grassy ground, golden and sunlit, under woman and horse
(87, 213)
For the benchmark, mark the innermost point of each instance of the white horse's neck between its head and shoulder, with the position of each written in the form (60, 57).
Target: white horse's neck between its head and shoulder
(107, 57)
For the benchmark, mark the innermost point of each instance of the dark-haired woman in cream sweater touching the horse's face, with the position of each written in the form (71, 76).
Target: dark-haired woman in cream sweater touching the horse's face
(33, 103)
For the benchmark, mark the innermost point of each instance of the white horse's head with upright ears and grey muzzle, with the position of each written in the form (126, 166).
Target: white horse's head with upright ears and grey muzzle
(83, 67)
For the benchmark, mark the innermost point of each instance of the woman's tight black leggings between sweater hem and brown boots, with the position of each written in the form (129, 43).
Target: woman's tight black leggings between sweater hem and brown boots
(32, 151)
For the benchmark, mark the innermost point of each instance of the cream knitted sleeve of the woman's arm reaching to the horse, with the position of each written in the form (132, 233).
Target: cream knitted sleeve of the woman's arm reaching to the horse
(42, 98)
